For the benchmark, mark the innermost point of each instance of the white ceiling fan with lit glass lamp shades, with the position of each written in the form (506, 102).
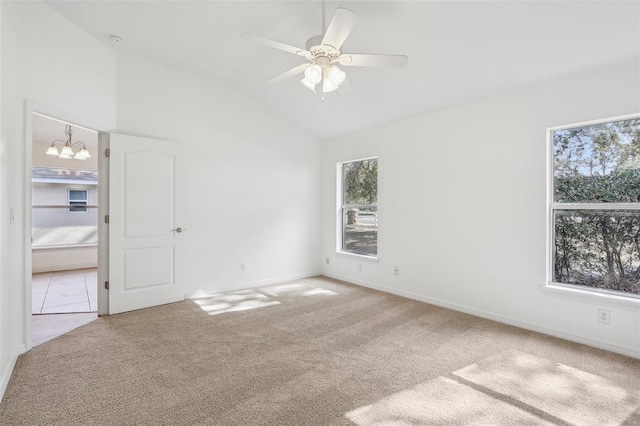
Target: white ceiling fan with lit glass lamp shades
(325, 57)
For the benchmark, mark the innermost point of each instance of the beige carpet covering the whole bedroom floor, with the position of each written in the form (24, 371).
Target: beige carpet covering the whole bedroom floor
(316, 352)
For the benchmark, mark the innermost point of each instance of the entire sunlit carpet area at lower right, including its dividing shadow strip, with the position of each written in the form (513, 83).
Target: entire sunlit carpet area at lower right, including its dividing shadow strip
(510, 388)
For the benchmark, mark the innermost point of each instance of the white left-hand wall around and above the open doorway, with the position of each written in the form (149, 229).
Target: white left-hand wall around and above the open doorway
(65, 72)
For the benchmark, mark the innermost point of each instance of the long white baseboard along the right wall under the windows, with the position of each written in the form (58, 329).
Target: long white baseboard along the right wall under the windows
(596, 343)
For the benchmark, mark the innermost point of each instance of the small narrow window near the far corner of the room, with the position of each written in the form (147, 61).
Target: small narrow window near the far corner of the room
(358, 189)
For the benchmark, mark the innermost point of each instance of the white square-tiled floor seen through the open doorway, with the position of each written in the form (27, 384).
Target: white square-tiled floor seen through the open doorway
(65, 291)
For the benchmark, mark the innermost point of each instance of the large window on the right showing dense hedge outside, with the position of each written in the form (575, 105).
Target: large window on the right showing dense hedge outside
(595, 206)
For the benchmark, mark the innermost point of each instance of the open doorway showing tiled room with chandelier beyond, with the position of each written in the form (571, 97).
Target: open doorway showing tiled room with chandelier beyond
(64, 227)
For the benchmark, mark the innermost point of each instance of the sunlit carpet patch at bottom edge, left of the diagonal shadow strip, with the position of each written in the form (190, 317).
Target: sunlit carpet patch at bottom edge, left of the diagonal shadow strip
(441, 401)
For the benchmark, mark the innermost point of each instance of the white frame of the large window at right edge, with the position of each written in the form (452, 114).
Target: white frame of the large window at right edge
(575, 289)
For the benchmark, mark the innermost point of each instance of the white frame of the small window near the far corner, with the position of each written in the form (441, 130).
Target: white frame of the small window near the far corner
(342, 207)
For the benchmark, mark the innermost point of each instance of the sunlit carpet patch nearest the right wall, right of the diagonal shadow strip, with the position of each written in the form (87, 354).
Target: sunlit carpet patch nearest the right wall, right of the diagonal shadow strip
(567, 393)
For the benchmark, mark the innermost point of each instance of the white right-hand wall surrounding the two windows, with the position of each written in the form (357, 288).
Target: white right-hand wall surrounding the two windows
(462, 206)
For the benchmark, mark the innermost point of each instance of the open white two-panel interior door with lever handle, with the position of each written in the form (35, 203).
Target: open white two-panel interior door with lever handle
(146, 229)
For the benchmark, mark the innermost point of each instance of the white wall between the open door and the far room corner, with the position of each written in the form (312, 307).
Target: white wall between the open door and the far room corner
(253, 180)
